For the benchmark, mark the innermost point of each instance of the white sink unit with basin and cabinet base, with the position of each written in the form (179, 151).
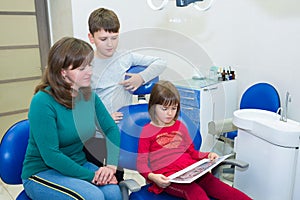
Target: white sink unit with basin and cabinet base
(271, 147)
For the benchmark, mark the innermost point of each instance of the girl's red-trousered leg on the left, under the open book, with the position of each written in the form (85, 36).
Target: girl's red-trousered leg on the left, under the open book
(190, 191)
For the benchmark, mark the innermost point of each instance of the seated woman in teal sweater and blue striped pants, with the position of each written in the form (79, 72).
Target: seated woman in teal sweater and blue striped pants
(63, 114)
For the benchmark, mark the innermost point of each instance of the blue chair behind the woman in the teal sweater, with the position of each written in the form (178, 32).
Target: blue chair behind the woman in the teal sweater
(12, 152)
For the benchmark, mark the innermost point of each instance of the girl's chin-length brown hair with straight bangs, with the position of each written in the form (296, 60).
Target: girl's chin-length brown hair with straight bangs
(166, 94)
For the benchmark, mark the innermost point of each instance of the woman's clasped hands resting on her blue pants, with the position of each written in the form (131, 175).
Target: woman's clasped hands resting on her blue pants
(105, 175)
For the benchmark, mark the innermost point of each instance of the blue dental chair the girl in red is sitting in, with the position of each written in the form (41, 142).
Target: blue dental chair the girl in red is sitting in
(134, 119)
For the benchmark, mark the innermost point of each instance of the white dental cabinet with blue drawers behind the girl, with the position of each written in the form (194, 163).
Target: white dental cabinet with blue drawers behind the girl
(207, 100)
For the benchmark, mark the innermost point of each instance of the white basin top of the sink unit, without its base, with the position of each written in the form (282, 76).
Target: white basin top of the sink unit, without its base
(266, 125)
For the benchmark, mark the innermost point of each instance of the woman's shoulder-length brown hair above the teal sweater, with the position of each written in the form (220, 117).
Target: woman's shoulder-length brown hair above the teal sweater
(66, 52)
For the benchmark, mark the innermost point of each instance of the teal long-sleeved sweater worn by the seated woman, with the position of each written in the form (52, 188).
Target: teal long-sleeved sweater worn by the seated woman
(57, 135)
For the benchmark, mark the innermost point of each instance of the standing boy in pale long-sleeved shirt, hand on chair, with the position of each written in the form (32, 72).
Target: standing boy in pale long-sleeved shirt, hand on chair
(110, 66)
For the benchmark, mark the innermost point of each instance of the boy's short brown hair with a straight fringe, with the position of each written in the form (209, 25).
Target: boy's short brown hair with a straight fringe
(105, 19)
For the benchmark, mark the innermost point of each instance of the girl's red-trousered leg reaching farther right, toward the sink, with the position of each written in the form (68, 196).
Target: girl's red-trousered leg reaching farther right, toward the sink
(219, 190)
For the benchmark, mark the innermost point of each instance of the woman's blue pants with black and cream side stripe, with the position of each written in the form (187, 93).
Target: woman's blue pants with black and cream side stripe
(57, 186)
